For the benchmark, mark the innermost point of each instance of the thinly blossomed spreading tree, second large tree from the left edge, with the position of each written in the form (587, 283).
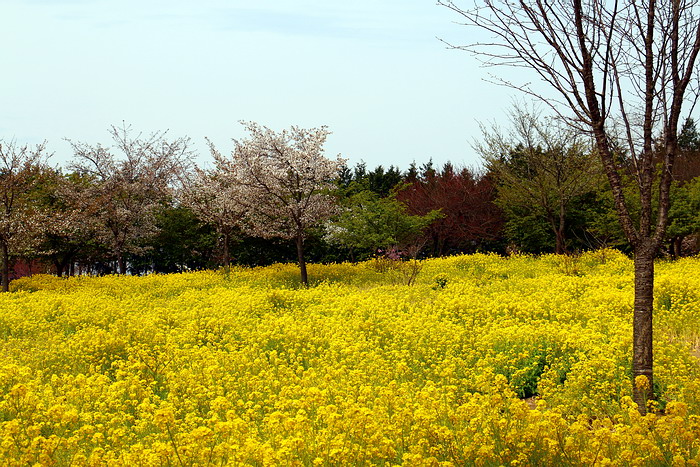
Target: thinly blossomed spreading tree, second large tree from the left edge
(124, 193)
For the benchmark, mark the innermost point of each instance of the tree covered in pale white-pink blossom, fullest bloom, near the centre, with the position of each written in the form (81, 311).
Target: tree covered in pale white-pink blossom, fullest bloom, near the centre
(284, 182)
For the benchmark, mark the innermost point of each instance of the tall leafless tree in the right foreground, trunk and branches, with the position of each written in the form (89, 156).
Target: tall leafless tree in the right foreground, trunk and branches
(620, 71)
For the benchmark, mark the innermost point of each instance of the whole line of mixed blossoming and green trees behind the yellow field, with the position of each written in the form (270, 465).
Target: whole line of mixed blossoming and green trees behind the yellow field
(140, 205)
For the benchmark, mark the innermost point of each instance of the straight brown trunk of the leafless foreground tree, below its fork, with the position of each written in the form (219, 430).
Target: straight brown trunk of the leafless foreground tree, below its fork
(642, 360)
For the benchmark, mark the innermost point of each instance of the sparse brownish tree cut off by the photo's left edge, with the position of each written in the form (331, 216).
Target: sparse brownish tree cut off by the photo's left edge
(21, 170)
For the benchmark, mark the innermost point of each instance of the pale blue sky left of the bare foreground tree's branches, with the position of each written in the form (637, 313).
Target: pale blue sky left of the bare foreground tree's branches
(374, 71)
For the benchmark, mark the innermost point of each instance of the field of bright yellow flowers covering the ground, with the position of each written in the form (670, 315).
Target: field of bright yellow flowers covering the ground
(483, 361)
